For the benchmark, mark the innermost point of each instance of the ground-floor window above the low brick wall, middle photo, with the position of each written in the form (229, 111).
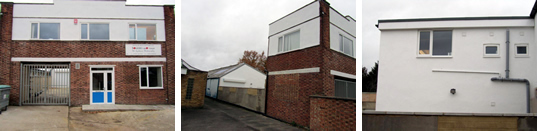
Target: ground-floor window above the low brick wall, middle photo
(344, 88)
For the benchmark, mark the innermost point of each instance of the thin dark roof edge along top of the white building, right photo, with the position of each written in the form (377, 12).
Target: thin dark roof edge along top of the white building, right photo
(456, 18)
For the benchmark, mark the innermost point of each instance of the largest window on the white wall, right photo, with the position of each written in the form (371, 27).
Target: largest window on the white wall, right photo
(435, 43)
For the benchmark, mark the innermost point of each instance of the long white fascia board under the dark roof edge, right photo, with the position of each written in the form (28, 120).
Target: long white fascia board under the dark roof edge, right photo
(456, 24)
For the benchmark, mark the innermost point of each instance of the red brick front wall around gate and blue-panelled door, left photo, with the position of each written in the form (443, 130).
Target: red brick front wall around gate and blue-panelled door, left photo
(126, 73)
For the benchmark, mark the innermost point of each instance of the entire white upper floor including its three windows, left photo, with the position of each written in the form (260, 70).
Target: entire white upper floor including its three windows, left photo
(72, 20)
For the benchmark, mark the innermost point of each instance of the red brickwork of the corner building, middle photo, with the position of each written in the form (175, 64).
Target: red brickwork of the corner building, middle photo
(288, 95)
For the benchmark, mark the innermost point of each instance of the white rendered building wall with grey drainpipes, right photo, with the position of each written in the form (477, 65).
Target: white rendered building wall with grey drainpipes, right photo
(421, 60)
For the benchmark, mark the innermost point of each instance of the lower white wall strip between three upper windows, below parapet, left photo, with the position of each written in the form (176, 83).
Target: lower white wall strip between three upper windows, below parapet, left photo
(119, 29)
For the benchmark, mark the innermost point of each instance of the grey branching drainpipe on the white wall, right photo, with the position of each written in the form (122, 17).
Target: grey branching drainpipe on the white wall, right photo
(508, 79)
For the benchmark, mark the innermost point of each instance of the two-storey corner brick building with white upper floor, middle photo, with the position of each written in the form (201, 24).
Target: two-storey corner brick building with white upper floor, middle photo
(311, 64)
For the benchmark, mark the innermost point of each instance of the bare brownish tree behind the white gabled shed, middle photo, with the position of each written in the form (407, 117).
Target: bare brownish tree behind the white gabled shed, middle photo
(254, 59)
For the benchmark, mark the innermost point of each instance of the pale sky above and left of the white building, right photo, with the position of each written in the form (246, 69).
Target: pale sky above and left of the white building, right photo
(374, 10)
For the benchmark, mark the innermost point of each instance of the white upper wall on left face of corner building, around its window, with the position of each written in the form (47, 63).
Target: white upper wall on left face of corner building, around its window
(309, 31)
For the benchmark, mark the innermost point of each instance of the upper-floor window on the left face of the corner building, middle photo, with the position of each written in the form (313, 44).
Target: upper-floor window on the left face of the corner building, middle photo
(289, 41)
